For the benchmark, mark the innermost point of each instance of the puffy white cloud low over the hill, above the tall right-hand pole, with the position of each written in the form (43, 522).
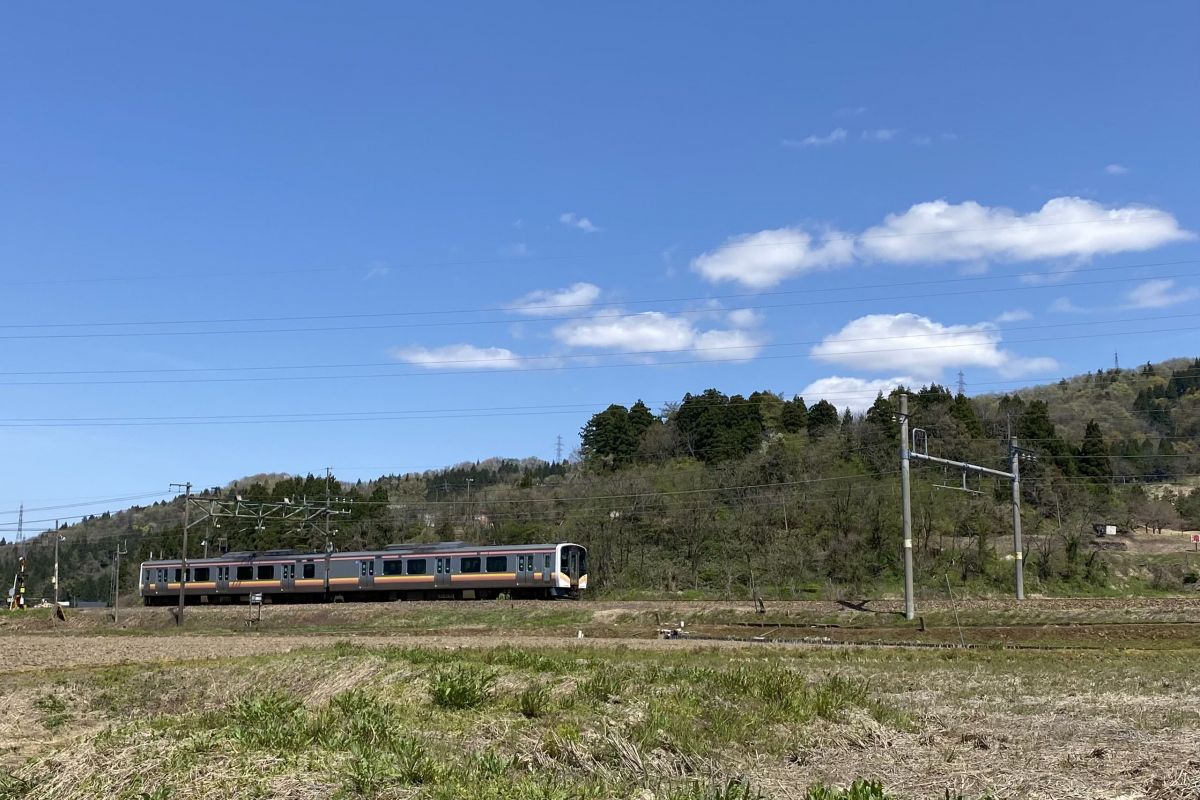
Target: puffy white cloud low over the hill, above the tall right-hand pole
(921, 347)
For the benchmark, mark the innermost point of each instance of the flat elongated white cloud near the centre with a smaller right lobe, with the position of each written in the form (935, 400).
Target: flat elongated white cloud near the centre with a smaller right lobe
(655, 330)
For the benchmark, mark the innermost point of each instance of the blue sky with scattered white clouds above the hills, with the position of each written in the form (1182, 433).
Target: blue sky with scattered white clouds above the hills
(741, 191)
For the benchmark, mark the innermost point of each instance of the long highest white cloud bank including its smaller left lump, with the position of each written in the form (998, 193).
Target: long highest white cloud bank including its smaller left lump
(939, 232)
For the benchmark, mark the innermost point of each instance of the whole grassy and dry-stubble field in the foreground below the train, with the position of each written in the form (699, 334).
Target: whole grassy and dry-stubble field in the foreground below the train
(433, 708)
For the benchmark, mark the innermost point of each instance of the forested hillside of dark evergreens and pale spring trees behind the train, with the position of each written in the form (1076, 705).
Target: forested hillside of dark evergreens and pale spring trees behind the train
(717, 492)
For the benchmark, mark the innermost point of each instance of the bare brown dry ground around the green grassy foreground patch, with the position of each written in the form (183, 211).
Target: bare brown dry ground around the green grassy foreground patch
(1115, 721)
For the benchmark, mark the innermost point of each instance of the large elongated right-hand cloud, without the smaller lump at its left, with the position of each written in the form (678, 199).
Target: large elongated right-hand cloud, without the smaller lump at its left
(1066, 227)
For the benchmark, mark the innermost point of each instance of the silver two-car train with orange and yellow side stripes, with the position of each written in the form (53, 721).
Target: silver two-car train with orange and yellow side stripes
(442, 572)
